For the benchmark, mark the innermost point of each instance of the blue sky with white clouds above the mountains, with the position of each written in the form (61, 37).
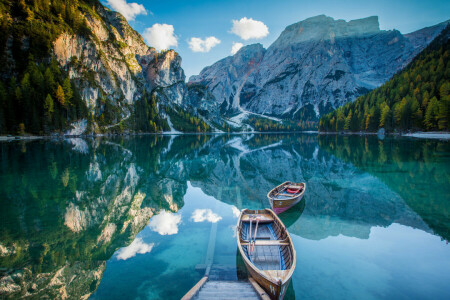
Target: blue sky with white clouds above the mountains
(177, 22)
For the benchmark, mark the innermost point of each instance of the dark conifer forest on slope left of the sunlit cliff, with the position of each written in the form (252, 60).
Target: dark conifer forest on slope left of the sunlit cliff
(36, 95)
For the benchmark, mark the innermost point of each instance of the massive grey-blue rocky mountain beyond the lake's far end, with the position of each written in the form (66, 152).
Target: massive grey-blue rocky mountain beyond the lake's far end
(315, 65)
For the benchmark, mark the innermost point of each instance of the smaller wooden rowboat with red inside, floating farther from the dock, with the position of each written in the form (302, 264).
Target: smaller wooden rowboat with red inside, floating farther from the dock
(286, 195)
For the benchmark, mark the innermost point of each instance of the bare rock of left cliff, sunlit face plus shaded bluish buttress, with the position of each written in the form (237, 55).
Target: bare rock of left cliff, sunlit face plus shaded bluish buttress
(115, 64)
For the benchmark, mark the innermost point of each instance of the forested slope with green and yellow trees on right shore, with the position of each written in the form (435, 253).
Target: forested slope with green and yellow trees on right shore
(417, 98)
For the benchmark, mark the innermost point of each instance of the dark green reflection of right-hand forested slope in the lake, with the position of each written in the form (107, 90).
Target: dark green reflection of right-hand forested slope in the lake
(417, 171)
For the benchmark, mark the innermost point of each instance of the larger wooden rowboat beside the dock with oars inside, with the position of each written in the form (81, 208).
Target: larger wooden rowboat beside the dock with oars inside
(267, 250)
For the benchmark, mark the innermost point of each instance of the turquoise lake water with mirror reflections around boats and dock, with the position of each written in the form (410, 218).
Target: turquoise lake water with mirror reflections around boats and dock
(130, 217)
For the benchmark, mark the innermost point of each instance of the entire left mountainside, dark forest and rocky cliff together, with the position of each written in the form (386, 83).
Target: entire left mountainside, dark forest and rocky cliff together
(69, 60)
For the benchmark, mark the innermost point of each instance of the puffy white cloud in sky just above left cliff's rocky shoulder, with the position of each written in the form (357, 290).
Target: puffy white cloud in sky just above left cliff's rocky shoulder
(160, 36)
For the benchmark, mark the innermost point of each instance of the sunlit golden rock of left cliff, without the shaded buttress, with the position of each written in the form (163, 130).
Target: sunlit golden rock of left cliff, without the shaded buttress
(111, 55)
